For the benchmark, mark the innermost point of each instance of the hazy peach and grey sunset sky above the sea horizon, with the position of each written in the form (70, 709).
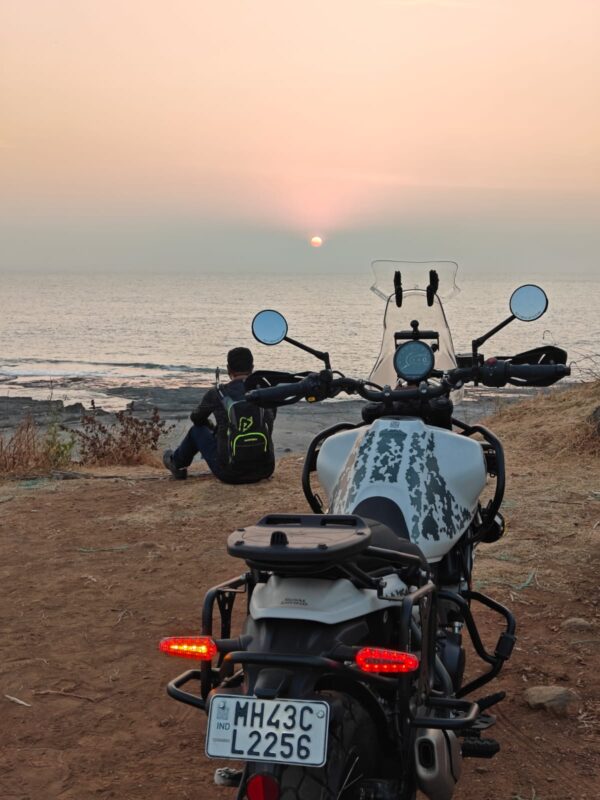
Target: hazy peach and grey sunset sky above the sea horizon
(204, 135)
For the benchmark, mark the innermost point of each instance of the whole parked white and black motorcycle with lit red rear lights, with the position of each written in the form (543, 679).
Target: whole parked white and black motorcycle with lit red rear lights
(347, 681)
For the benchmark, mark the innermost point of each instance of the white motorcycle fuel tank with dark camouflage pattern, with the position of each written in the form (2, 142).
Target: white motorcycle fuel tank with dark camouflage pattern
(433, 476)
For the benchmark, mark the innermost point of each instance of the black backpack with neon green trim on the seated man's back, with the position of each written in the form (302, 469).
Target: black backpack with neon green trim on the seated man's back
(249, 439)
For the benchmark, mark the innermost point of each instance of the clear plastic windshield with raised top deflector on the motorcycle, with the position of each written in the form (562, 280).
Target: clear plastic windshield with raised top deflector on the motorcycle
(415, 279)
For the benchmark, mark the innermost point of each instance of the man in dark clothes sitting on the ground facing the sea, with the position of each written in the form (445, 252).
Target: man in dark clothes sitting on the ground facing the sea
(239, 448)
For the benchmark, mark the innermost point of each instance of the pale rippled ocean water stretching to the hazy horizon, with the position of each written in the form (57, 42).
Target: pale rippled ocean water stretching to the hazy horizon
(73, 336)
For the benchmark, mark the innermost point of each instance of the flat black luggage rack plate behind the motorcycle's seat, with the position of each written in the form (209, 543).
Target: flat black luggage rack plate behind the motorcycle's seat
(300, 539)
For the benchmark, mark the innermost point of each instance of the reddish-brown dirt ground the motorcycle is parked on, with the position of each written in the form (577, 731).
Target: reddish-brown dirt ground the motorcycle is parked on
(95, 571)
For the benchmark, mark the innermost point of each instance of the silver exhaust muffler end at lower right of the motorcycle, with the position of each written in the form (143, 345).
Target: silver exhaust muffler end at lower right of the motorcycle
(438, 763)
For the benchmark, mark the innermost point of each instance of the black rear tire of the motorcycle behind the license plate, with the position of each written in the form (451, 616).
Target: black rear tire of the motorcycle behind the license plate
(353, 753)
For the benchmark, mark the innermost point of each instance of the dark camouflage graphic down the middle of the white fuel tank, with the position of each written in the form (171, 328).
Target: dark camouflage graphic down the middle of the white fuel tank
(388, 454)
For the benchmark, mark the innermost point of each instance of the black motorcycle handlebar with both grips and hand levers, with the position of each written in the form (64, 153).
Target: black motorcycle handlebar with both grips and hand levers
(495, 372)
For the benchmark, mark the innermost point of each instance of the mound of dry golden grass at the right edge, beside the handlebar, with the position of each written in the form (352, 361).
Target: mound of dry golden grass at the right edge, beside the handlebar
(557, 422)
